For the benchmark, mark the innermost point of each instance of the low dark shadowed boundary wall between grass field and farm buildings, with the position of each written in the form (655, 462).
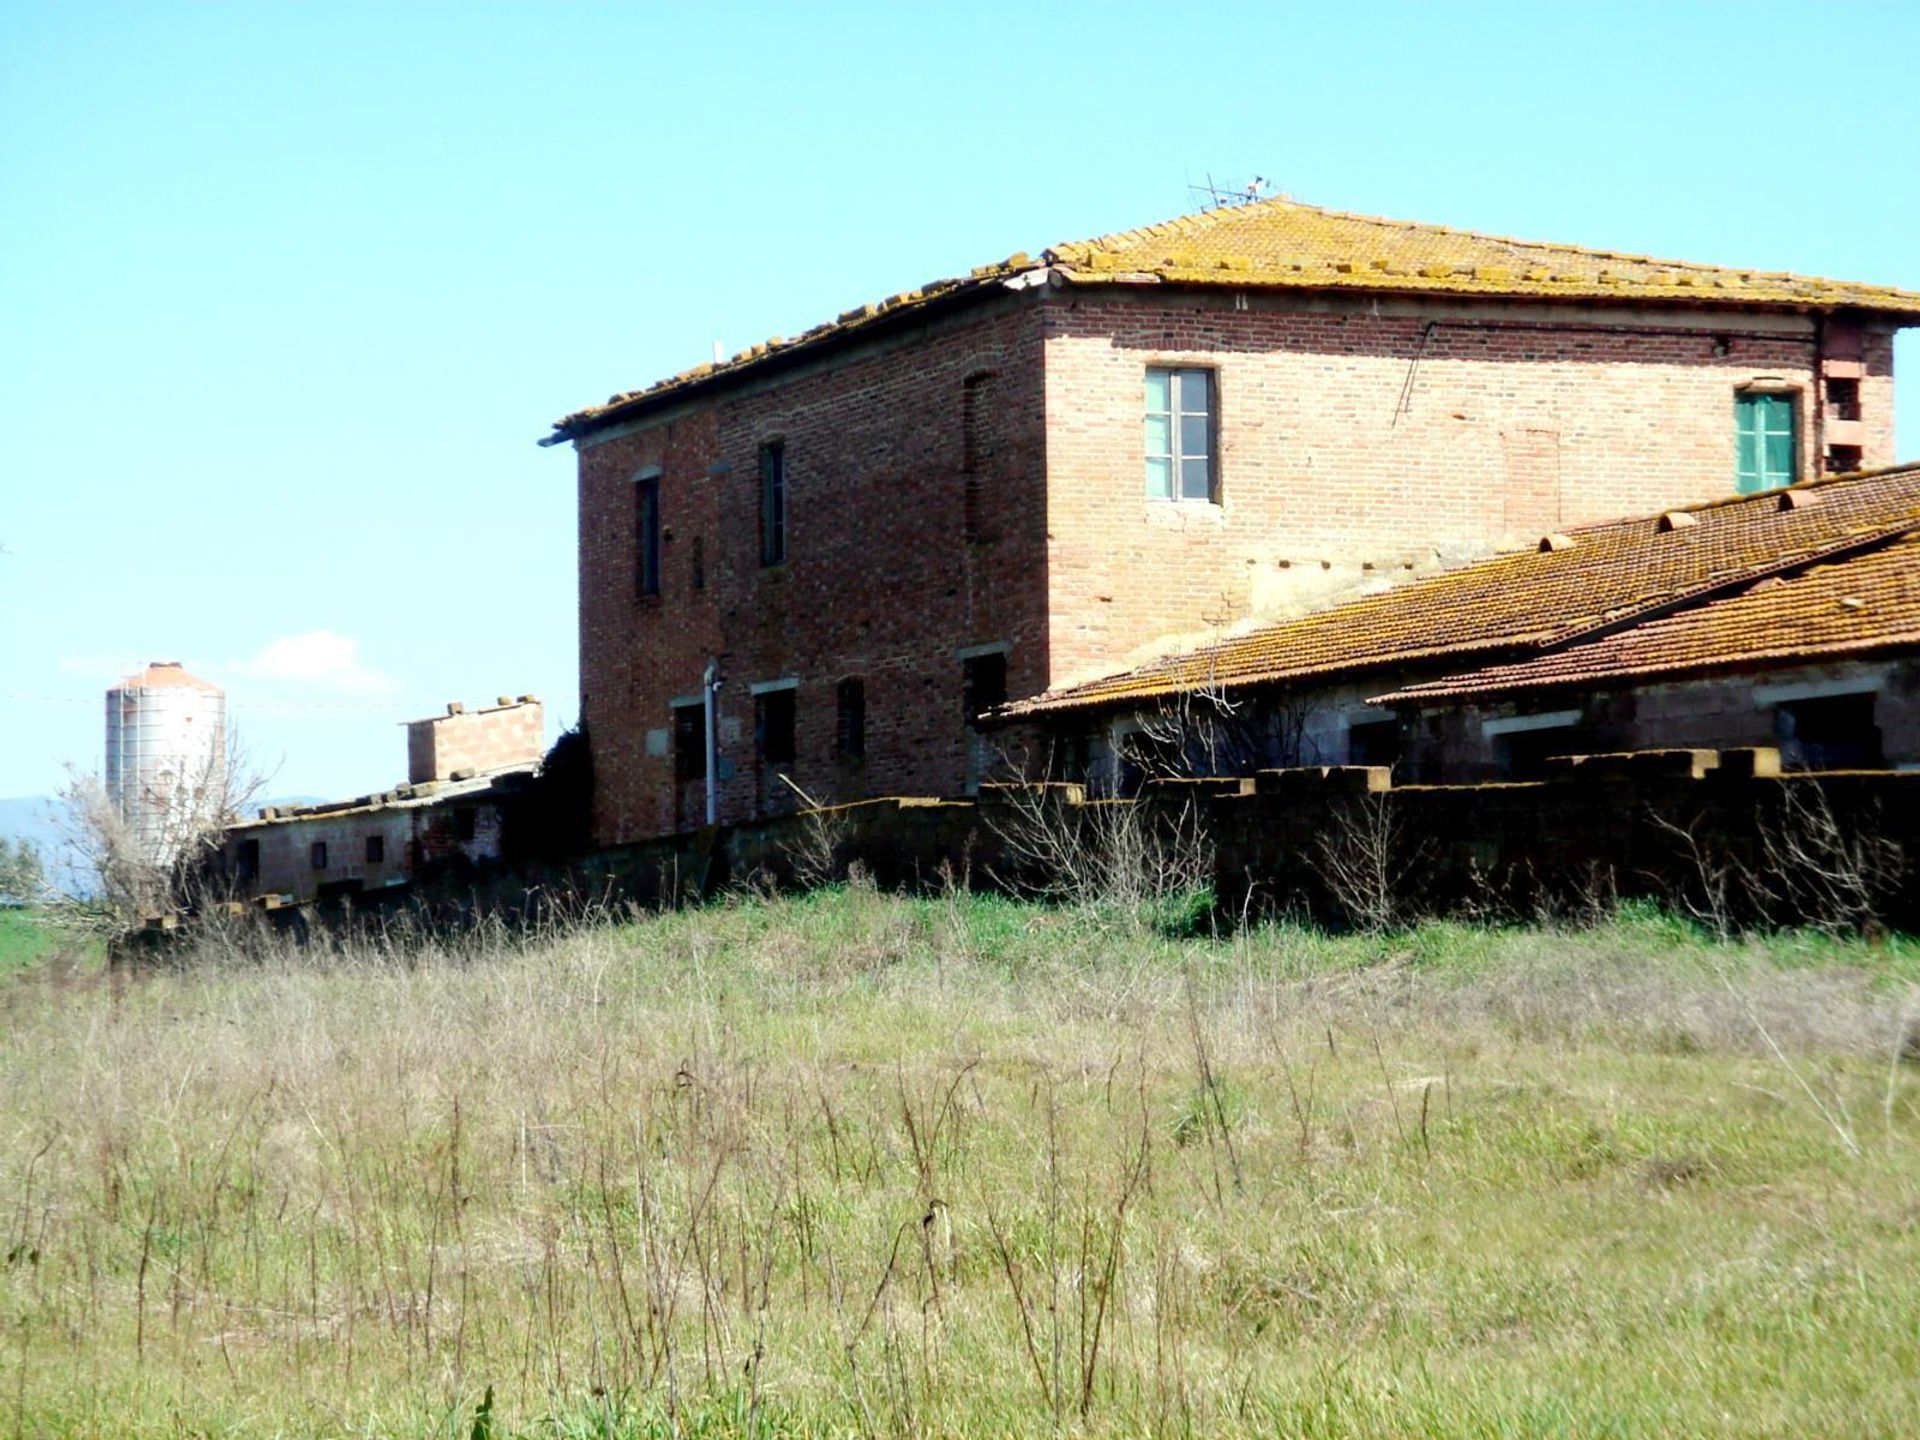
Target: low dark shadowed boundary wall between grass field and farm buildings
(1600, 830)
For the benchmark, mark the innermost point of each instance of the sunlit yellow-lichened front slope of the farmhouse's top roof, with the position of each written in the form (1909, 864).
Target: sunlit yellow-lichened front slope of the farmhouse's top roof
(1282, 243)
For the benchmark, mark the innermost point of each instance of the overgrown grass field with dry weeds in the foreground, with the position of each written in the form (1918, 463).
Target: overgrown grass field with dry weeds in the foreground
(853, 1164)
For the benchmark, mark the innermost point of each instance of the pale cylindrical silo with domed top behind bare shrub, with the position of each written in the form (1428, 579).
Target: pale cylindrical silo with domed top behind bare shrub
(166, 757)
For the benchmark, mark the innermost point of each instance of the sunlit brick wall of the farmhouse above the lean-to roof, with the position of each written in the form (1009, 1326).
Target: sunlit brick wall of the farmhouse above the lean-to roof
(1341, 471)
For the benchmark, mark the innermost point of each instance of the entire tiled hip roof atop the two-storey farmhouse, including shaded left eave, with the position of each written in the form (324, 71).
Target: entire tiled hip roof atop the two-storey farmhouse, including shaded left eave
(1291, 247)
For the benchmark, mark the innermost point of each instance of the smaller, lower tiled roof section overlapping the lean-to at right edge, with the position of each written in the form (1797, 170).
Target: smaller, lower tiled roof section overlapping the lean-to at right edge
(1854, 604)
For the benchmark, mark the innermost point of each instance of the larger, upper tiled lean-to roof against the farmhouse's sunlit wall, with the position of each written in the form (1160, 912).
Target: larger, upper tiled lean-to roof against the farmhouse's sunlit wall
(1529, 600)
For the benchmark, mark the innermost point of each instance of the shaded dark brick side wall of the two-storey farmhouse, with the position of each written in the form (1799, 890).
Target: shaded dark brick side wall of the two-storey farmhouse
(880, 579)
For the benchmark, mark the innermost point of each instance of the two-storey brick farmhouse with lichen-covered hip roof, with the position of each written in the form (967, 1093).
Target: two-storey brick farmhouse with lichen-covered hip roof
(1067, 466)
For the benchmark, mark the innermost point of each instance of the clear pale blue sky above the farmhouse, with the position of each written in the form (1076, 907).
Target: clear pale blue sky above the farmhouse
(289, 293)
